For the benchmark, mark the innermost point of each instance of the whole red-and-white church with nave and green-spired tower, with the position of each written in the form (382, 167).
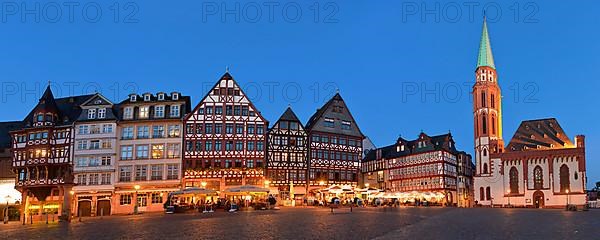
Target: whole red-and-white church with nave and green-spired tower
(540, 167)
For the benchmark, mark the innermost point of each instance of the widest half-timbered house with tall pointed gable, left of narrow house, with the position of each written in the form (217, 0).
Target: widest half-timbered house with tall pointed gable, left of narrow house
(225, 139)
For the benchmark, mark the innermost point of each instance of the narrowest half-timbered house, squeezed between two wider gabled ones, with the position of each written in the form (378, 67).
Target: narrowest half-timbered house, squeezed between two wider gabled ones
(287, 163)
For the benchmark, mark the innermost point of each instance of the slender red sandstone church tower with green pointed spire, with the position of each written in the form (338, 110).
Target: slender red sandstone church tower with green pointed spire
(487, 108)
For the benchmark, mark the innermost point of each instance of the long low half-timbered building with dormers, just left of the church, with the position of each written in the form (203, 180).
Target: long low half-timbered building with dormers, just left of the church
(427, 165)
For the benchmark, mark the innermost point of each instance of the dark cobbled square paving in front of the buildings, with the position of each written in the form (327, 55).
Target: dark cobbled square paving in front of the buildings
(319, 223)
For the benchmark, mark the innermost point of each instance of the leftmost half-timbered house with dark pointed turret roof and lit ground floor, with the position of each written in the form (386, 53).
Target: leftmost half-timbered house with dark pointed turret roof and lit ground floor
(42, 155)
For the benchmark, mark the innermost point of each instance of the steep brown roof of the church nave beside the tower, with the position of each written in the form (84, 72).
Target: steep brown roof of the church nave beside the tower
(539, 134)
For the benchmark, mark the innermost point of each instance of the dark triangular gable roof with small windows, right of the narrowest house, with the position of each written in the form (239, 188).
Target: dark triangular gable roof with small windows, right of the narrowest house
(315, 123)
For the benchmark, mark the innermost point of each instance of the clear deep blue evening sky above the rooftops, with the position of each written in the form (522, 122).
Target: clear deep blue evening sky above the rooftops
(402, 66)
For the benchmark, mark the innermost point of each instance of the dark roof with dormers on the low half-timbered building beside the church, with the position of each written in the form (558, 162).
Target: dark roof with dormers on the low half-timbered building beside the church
(438, 142)
